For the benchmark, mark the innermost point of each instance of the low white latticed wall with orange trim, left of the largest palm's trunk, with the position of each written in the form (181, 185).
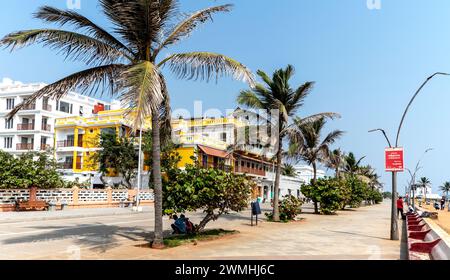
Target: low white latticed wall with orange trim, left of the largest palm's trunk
(75, 198)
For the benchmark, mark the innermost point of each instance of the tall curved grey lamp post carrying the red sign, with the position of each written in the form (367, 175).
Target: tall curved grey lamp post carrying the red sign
(394, 224)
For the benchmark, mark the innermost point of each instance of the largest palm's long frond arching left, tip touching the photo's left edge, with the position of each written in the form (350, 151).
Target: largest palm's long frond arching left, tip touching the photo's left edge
(74, 46)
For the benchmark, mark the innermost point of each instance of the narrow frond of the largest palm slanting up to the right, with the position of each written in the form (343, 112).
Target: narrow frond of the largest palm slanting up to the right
(185, 27)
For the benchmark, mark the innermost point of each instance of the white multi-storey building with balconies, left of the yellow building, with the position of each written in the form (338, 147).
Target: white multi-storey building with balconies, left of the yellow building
(32, 129)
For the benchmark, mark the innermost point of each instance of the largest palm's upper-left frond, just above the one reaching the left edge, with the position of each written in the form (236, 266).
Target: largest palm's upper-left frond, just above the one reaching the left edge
(61, 17)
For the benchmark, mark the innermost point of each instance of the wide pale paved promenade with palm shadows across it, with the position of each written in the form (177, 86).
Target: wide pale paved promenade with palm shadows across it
(361, 234)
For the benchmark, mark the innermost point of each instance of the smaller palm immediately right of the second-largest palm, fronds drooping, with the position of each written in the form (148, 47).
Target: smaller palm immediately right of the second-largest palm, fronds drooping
(307, 146)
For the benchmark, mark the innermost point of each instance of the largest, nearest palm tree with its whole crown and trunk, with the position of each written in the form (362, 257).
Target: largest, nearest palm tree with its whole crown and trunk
(125, 62)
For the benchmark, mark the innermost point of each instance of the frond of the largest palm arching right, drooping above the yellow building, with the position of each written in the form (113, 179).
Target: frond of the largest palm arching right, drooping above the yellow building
(205, 65)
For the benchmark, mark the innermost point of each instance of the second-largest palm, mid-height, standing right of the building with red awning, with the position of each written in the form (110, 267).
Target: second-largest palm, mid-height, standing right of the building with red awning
(277, 95)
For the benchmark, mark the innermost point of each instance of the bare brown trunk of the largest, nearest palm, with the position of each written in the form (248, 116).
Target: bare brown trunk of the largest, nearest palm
(158, 241)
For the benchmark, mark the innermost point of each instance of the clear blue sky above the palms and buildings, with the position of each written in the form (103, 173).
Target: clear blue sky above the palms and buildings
(367, 64)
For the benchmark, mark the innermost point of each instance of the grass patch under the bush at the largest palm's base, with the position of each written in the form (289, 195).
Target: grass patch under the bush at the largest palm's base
(178, 240)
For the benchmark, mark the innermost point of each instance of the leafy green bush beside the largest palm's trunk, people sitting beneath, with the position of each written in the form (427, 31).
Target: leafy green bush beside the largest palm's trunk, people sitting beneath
(214, 191)
